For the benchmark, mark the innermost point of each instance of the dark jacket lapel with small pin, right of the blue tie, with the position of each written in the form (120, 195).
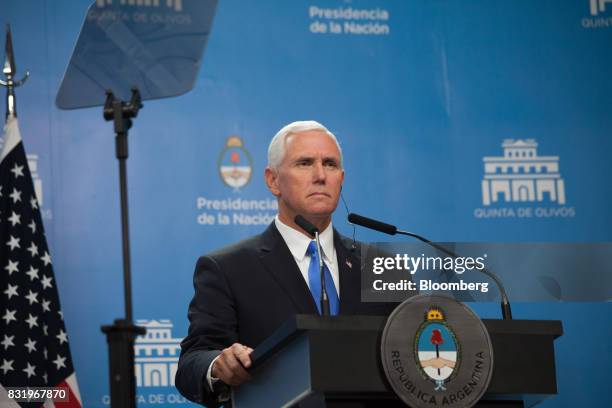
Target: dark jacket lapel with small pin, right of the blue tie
(350, 277)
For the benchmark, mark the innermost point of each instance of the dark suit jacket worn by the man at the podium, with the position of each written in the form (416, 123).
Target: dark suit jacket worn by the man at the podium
(244, 292)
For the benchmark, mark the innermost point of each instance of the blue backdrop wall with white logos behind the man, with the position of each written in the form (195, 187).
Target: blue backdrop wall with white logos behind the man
(422, 94)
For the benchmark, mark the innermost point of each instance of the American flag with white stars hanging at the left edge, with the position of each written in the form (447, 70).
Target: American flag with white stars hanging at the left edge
(34, 348)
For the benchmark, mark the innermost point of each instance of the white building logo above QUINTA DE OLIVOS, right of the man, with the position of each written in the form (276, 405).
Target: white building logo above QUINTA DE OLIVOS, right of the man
(522, 176)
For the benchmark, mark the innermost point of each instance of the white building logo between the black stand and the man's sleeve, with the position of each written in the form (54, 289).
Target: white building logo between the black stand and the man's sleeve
(156, 354)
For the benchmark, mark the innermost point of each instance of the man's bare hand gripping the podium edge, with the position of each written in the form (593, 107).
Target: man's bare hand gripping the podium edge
(232, 363)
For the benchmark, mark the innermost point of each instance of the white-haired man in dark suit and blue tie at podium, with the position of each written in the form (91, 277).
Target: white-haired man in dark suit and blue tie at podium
(245, 291)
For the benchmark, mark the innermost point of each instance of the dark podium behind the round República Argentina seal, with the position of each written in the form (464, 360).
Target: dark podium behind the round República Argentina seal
(313, 361)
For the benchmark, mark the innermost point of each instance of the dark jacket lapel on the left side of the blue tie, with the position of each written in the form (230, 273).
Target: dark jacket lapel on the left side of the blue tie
(279, 261)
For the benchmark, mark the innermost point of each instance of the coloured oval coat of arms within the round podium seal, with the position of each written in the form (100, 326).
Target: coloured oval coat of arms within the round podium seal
(437, 350)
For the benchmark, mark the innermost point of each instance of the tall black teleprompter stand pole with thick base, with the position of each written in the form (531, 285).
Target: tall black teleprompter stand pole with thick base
(121, 335)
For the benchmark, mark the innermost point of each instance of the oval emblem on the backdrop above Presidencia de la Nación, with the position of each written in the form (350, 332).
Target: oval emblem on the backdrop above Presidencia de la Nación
(235, 164)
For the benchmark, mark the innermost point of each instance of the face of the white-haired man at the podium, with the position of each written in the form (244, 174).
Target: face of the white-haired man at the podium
(308, 180)
